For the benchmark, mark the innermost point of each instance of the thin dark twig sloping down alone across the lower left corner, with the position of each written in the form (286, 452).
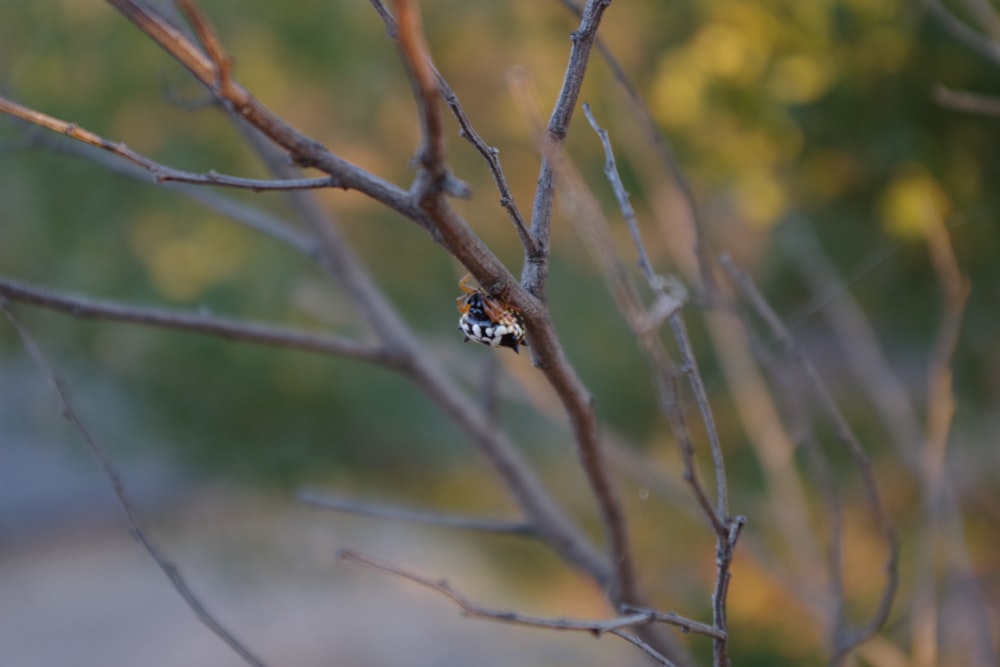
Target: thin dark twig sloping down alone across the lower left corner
(177, 580)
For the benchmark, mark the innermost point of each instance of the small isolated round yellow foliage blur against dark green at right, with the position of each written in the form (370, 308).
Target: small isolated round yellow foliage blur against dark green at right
(912, 201)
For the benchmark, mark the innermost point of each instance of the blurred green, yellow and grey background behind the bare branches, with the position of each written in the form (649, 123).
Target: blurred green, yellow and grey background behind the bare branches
(819, 158)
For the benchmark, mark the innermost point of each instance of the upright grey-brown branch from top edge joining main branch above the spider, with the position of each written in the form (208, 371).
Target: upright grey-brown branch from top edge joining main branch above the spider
(535, 271)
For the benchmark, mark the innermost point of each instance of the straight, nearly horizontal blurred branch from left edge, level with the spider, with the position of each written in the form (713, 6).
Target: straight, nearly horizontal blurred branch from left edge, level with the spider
(235, 330)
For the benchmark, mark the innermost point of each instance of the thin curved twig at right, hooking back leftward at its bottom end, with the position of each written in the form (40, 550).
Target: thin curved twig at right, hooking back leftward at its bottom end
(848, 639)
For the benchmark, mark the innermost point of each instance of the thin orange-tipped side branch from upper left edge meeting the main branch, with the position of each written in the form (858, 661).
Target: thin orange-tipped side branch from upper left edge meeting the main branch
(160, 173)
